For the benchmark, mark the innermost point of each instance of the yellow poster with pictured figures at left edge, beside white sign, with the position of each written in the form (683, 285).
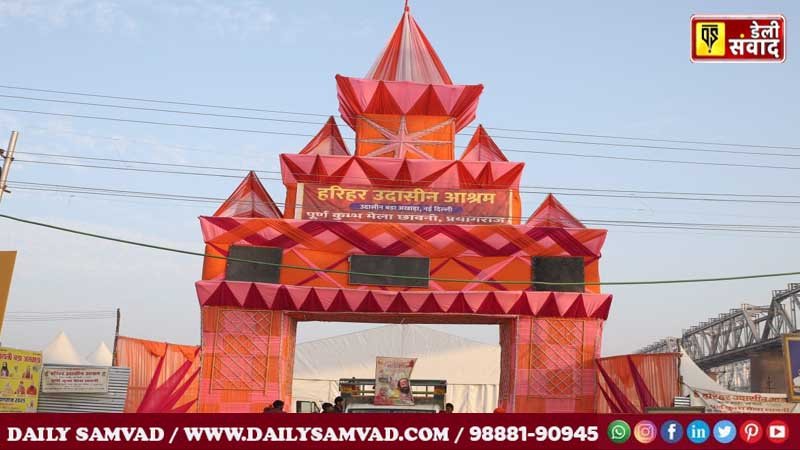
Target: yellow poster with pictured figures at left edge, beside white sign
(19, 380)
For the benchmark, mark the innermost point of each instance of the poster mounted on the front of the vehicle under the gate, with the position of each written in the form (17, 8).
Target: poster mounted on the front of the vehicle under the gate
(393, 381)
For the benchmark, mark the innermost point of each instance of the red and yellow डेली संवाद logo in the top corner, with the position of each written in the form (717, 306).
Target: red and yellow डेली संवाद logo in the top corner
(738, 38)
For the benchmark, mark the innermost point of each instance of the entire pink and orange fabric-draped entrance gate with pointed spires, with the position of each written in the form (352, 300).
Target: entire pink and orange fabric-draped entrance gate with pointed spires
(400, 231)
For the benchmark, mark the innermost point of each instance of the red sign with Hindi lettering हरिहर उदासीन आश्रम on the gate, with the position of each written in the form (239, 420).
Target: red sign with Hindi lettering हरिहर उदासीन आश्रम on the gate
(417, 205)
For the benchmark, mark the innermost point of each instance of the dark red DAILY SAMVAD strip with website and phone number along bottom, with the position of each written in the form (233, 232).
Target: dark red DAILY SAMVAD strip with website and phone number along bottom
(399, 431)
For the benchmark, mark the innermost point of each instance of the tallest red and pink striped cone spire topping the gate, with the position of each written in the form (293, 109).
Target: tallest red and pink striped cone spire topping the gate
(409, 56)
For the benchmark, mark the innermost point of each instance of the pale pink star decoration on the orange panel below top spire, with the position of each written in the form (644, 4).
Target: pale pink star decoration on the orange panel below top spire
(400, 143)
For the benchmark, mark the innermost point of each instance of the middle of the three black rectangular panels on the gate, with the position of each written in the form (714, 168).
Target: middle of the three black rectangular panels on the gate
(389, 265)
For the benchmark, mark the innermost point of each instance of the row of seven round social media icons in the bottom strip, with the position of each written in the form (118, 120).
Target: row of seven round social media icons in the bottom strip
(698, 432)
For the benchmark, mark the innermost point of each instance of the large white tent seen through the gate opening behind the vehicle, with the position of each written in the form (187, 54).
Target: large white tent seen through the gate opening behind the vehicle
(472, 369)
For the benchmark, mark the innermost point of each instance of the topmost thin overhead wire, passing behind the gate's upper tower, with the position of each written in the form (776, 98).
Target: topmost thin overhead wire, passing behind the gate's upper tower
(516, 130)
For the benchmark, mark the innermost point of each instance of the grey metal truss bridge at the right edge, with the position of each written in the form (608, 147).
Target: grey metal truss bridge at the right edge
(738, 333)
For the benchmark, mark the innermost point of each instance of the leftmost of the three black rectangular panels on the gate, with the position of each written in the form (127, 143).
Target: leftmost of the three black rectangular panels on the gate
(261, 273)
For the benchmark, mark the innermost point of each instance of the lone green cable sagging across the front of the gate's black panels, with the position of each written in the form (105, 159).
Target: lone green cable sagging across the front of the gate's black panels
(343, 272)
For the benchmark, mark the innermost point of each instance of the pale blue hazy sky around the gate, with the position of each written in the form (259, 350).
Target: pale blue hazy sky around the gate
(615, 68)
